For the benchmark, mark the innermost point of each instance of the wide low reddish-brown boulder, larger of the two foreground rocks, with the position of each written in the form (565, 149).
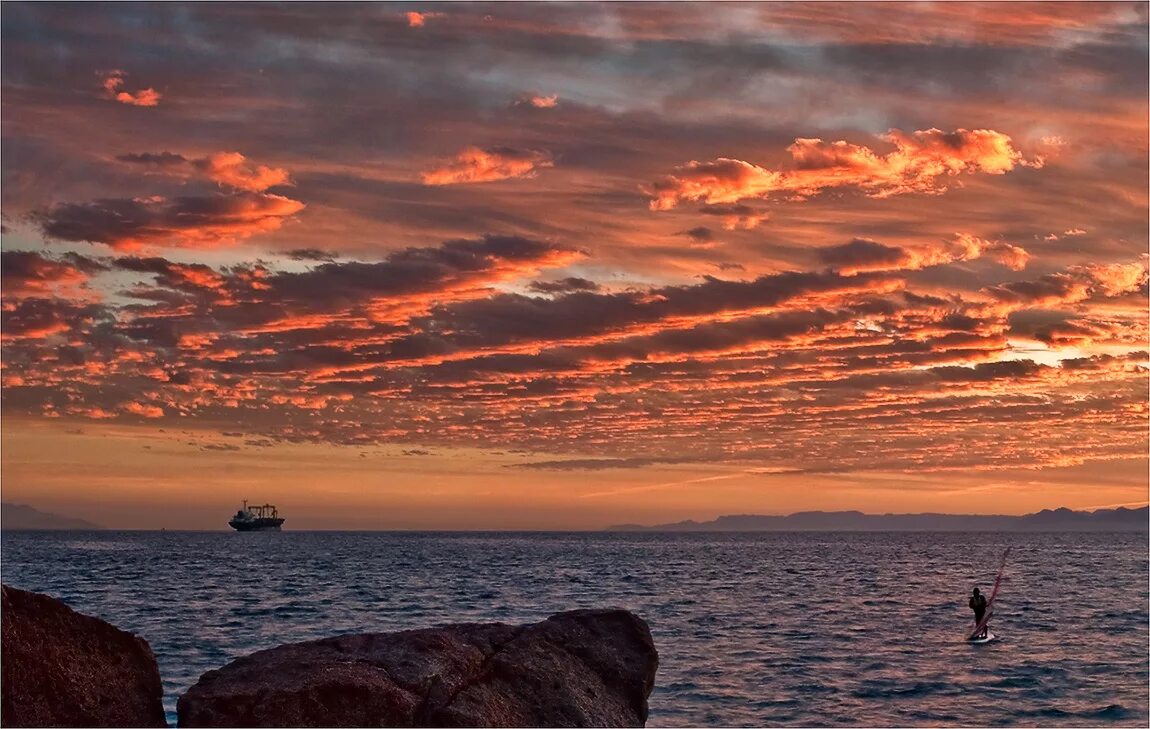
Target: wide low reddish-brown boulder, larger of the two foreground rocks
(584, 669)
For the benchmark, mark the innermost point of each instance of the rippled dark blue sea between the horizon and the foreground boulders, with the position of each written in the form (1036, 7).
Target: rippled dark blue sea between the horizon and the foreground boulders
(753, 630)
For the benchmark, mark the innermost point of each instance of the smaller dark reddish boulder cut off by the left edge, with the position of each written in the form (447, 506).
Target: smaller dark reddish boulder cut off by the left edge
(62, 669)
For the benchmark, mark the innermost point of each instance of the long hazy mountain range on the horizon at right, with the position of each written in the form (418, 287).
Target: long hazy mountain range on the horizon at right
(1048, 520)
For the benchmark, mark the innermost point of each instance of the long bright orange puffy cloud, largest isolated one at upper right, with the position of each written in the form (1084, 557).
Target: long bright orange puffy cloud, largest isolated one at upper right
(918, 164)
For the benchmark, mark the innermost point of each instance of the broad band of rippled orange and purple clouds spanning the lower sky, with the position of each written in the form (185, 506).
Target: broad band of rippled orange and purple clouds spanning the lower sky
(425, 348)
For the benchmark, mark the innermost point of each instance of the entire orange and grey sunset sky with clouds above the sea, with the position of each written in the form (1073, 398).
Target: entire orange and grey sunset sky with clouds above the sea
(525, 266)
